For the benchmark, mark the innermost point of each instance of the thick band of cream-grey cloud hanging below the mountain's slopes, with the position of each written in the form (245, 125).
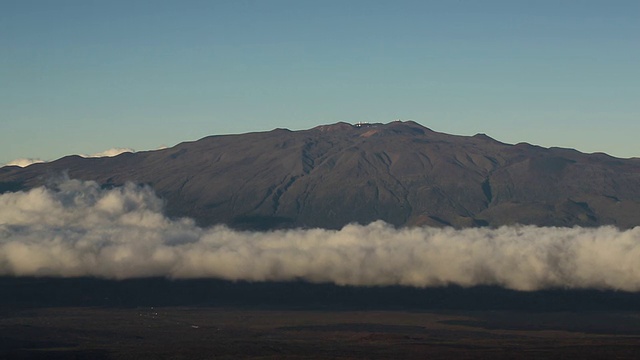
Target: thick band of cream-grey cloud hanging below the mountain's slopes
(79, 229)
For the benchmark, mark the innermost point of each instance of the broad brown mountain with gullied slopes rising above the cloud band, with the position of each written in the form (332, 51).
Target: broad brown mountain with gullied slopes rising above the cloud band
(400, 172)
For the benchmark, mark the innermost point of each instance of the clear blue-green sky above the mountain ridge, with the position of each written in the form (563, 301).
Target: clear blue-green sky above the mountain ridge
(83, 76)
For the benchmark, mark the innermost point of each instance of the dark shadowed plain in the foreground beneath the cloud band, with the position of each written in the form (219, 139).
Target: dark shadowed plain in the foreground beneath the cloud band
(211, 319)
